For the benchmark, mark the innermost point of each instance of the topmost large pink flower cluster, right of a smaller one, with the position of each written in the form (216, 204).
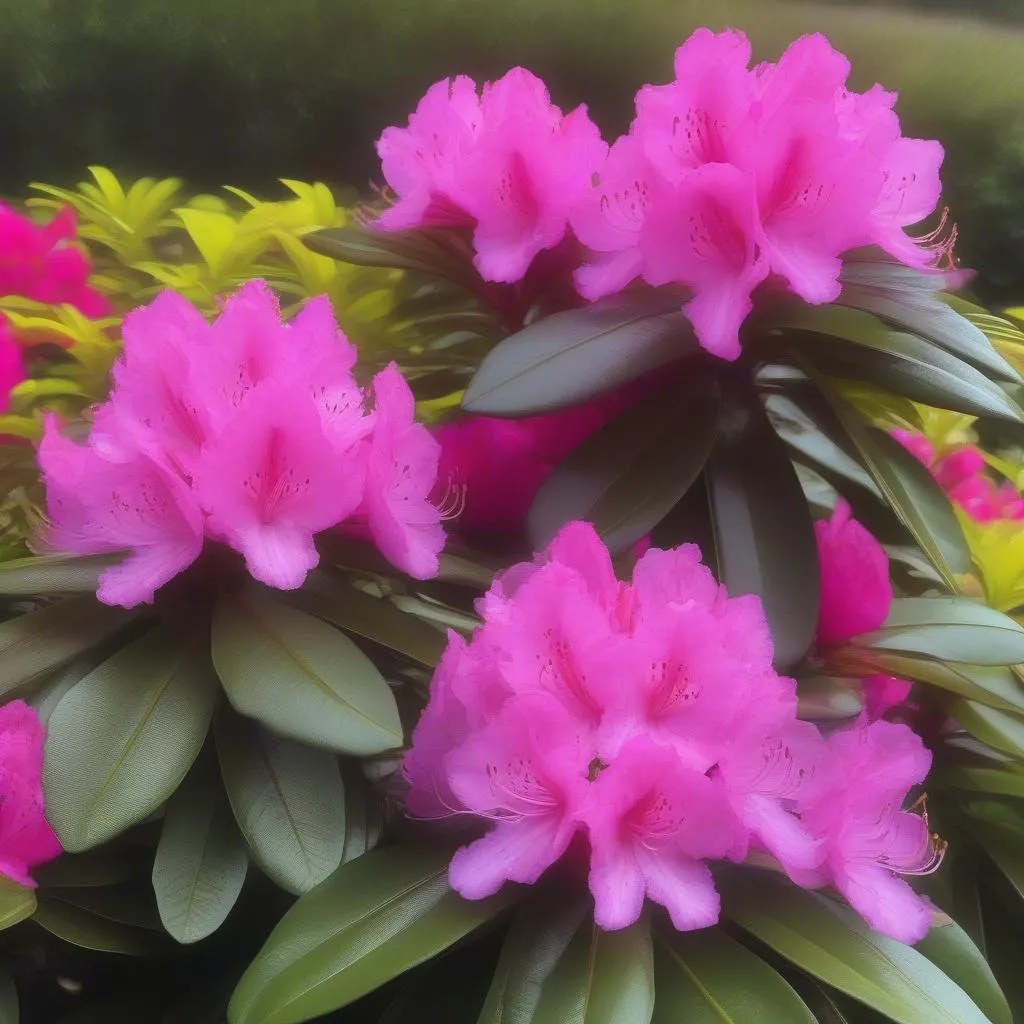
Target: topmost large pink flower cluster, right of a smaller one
(730, 175)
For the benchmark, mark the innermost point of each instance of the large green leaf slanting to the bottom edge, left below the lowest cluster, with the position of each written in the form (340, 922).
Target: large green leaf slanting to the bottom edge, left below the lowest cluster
(371, 921)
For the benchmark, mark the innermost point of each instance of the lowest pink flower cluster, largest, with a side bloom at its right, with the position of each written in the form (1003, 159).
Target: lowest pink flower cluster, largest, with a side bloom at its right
(646, 720)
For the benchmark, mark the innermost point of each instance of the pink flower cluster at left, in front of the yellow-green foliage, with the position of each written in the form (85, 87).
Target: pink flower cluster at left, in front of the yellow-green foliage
(248, 432)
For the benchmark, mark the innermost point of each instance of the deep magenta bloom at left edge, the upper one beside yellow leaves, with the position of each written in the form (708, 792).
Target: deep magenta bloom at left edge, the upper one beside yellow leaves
(36, 263)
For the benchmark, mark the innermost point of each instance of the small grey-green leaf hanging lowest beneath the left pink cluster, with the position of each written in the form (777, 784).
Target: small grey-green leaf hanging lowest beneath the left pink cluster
(202, 860)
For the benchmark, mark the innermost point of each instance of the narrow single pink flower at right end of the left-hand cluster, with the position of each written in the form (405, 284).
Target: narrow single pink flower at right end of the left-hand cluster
(403, 470)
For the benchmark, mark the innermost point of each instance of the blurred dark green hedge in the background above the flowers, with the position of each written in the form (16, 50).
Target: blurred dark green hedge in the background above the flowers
(246, 91)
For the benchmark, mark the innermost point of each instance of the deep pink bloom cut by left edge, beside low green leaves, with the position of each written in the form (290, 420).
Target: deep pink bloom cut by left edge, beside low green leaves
(26, 838)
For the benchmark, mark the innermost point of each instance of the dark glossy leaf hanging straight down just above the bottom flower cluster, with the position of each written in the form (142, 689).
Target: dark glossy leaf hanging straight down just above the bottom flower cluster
(764, 536)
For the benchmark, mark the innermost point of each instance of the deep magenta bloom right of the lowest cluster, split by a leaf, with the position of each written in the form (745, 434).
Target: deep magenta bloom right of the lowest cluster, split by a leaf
(857, 596)
